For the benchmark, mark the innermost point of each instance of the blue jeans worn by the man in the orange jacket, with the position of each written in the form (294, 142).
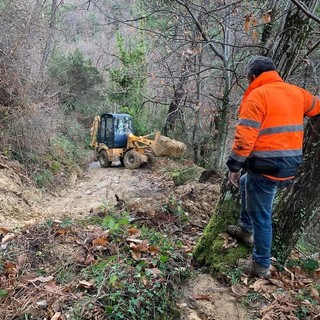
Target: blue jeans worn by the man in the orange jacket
(257, 195)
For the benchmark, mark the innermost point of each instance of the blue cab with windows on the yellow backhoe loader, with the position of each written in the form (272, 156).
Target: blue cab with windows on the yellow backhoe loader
(114, 130)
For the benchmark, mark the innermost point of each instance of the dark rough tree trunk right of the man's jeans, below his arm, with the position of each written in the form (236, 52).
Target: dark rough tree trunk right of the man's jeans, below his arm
(298, 205)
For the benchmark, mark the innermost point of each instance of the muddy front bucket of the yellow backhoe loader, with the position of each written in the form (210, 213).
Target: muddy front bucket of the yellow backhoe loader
(166, 147)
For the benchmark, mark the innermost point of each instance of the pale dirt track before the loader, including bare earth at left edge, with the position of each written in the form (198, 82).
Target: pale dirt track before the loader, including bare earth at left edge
(21, 204)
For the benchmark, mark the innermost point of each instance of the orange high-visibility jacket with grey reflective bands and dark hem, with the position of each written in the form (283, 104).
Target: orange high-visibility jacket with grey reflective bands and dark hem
(269, 135)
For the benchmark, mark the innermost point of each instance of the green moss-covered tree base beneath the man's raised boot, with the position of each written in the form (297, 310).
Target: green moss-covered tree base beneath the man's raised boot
(209, 250)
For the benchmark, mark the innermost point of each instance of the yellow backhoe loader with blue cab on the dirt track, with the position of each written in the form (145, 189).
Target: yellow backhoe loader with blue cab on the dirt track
(113, 140)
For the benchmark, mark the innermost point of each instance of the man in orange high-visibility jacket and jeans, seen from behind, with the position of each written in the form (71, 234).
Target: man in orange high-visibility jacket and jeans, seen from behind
(268, 143)
